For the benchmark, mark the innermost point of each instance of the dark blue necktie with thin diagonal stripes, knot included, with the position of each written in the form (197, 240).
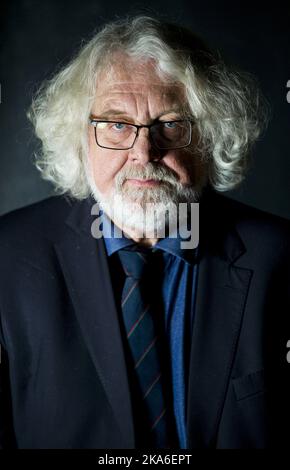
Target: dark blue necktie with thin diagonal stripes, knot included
(144, 336)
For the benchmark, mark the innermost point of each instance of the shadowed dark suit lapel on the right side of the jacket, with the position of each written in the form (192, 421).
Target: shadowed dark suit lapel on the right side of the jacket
(221, 295)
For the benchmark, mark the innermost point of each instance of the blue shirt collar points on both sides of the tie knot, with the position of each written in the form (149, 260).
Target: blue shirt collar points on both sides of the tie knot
(116, 240)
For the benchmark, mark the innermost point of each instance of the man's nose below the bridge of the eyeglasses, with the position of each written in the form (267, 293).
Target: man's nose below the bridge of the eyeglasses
(143, 150)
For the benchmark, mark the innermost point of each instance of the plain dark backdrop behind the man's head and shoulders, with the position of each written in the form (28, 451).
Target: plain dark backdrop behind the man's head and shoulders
(38, 36)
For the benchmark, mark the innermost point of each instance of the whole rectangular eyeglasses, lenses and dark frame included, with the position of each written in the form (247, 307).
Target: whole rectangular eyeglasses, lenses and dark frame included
(122, 136)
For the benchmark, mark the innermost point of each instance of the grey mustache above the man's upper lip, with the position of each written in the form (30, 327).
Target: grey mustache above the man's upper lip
(153, 171)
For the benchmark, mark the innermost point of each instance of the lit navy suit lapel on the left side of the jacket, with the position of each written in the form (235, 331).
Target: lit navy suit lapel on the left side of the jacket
(86, 271)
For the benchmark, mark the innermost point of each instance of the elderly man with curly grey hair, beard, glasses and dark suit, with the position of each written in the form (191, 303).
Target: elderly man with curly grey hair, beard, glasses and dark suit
(135, 340)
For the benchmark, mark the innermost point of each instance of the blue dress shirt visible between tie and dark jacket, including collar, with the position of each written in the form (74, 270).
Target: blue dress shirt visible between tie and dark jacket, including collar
(178, 295)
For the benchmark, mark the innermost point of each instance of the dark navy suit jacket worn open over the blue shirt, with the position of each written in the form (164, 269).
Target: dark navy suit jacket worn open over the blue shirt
(63, 380)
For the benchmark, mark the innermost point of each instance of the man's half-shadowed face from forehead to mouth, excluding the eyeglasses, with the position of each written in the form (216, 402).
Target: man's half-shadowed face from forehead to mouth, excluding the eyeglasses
(134, 93)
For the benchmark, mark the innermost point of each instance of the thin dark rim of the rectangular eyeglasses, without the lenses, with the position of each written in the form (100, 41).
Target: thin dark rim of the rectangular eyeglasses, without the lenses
(94, 123)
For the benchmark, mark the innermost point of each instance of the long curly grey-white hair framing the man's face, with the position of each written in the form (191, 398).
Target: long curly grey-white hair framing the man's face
(228, 108)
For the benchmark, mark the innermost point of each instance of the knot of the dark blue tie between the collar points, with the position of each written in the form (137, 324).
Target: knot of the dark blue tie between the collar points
(136, 263)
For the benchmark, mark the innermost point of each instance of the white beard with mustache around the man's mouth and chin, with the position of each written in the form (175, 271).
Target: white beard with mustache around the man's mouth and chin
(148, 212)
